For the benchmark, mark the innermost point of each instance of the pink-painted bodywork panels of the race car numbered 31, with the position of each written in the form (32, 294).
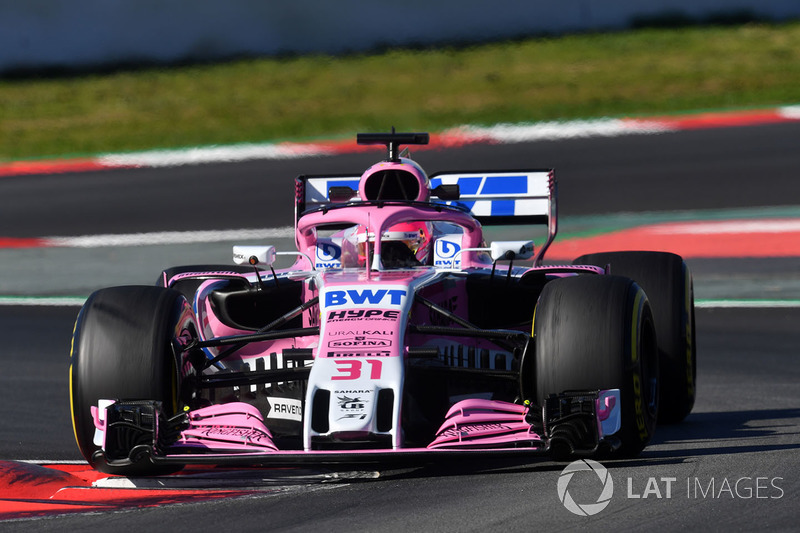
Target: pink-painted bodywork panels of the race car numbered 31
(378, 300)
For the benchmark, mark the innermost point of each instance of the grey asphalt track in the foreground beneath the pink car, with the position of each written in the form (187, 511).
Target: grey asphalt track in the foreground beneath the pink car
(744, 430)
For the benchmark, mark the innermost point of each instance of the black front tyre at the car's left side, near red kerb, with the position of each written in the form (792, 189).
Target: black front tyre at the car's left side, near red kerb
(125, 346)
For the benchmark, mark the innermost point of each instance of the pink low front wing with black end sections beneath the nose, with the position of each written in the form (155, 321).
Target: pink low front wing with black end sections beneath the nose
(570, 424)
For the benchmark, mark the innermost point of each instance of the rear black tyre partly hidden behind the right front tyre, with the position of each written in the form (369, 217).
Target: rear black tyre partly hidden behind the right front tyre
(667, 281)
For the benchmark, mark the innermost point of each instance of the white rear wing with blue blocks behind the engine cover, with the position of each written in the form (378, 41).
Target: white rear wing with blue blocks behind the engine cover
(493, 198)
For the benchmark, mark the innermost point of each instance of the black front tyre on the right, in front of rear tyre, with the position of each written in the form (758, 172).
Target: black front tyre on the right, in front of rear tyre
(596, 333)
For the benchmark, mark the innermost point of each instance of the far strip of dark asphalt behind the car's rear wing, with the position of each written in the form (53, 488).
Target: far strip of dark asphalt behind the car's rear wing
(702, 169)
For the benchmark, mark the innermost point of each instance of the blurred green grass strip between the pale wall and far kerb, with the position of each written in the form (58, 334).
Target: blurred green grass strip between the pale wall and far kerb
(649, 71)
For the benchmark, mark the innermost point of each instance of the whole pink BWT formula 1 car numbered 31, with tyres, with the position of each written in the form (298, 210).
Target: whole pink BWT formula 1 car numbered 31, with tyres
(396, 333)
